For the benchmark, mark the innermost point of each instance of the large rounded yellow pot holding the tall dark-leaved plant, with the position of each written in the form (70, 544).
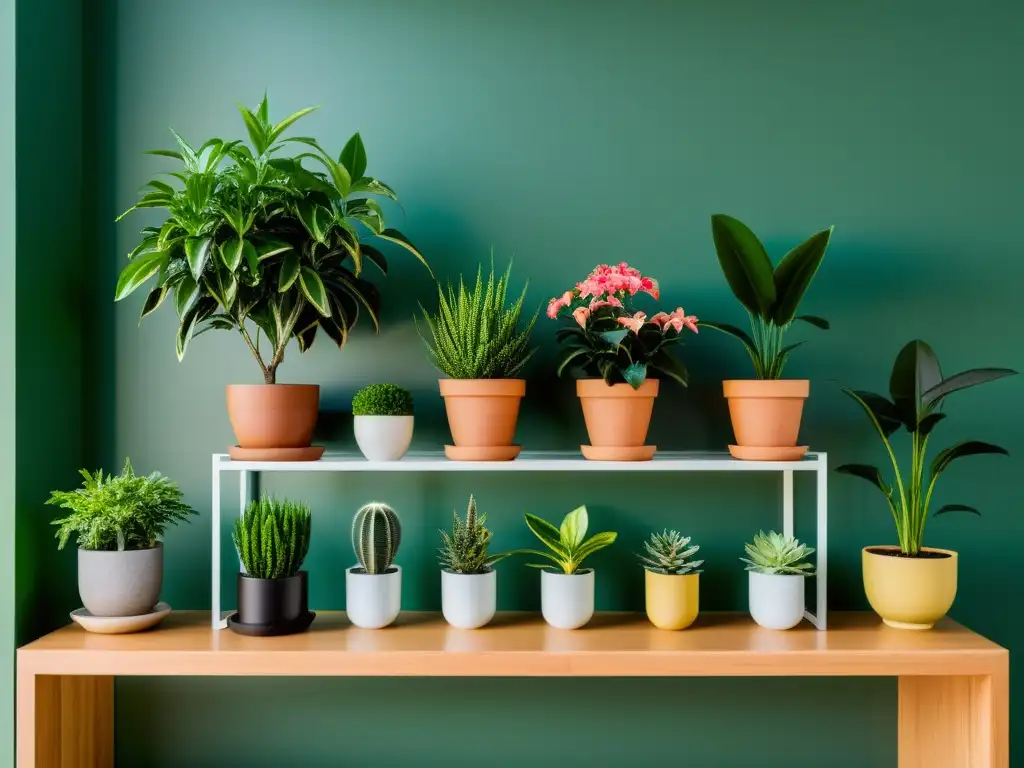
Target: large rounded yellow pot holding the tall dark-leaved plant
(910, 593)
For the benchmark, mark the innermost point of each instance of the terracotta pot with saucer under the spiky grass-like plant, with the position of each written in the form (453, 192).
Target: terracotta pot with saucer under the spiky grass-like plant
(483, 414)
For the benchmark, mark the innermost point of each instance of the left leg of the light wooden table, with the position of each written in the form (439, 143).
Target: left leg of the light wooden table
(66, 721)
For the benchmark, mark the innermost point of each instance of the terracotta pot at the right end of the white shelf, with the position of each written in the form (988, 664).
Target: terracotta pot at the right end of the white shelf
(766, 413)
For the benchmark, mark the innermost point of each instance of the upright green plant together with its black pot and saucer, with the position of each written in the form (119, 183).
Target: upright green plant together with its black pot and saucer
(273, 539)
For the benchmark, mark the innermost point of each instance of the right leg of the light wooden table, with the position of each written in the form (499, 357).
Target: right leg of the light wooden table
(960, 722)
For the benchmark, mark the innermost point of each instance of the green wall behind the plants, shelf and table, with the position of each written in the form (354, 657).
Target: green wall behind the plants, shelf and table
(570, 134)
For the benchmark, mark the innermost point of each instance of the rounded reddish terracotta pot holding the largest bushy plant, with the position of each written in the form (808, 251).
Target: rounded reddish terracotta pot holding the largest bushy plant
(273, 416)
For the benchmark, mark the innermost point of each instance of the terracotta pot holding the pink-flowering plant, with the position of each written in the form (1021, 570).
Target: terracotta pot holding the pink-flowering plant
(618, 416)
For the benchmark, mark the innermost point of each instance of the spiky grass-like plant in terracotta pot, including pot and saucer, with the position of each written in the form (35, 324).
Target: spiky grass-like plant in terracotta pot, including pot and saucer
(477, 342)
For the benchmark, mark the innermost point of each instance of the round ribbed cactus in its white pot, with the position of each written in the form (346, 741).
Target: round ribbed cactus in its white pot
(373, 589)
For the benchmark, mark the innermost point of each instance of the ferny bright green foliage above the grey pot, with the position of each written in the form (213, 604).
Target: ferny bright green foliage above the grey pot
(122, 513)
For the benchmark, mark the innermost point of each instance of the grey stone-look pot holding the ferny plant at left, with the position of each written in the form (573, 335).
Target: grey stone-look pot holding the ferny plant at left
(121, 584)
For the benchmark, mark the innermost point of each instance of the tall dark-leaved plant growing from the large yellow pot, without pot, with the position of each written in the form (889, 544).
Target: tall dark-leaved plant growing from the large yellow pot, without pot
(919, 392)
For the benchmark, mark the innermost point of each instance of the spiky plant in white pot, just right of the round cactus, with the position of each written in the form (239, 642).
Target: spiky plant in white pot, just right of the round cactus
(470, 582)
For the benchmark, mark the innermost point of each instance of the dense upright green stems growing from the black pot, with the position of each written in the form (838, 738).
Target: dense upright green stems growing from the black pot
(273, 538)
